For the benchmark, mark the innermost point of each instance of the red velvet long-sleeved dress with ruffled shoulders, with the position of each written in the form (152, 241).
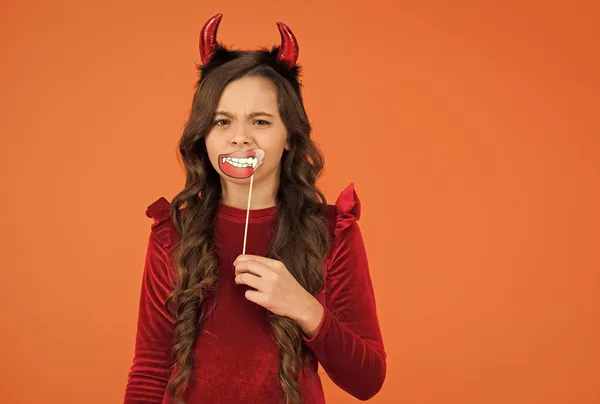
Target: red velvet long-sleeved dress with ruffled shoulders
(236, 356)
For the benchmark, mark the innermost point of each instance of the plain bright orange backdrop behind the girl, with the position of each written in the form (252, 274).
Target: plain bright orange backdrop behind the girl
(471, 132)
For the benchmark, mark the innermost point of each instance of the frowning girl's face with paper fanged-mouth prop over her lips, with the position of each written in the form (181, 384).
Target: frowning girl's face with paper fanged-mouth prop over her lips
(247, 117)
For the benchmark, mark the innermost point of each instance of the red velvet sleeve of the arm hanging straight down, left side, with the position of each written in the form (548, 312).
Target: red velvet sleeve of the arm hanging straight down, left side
(152, 360)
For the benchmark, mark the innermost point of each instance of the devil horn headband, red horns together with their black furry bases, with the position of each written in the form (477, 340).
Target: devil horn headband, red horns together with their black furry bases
(282, 58)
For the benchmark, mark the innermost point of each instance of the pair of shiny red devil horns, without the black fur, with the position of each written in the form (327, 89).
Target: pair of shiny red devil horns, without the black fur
(287, 54)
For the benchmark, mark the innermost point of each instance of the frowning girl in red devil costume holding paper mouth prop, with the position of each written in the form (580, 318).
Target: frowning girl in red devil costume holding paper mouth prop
(218, 326)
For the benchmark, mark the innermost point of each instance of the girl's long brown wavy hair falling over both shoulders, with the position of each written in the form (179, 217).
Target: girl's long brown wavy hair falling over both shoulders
(302, 237)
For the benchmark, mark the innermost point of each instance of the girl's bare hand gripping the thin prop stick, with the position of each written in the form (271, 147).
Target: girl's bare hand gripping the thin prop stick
(278, 291)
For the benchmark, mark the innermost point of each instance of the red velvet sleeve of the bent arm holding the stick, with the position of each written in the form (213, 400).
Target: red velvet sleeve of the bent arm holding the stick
(348, 343)
